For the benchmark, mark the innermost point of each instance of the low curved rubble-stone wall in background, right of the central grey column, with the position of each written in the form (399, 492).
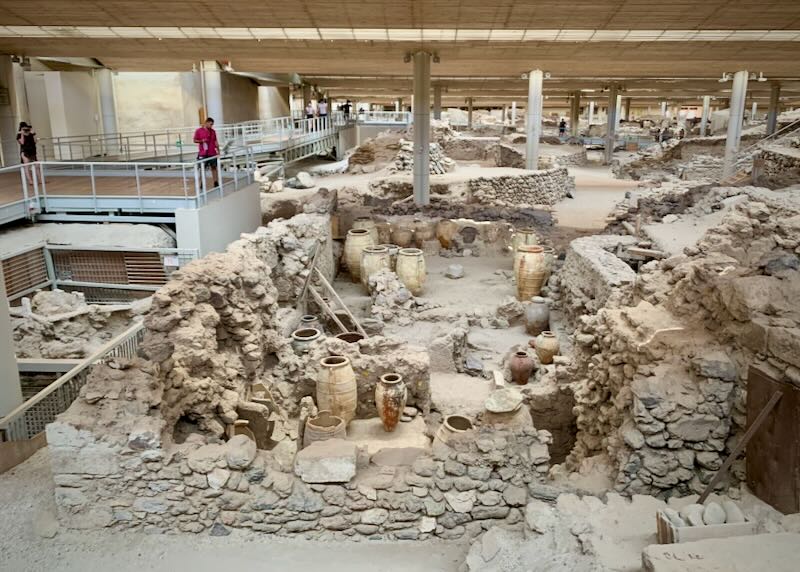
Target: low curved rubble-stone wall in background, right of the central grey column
(528, 189)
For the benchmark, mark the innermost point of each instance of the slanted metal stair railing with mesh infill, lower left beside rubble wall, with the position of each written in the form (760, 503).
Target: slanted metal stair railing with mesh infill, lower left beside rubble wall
(31, 418)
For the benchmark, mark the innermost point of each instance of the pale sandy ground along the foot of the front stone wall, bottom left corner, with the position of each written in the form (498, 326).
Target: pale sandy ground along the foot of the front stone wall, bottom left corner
(27, 491)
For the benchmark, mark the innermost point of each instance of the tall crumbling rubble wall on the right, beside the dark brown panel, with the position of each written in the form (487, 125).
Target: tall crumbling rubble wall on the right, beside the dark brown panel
(663, 385)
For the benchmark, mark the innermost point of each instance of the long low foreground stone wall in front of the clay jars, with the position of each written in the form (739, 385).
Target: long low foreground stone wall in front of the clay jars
(112, 469)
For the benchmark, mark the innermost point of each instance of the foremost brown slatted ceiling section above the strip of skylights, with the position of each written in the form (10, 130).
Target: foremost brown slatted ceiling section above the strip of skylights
(591, 14)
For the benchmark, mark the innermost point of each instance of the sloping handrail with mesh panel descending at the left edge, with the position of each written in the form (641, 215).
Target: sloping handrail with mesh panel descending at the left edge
(126, 344)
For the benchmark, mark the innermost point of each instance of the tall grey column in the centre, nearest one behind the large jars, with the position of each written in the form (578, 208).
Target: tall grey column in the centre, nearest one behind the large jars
(422, 127)
